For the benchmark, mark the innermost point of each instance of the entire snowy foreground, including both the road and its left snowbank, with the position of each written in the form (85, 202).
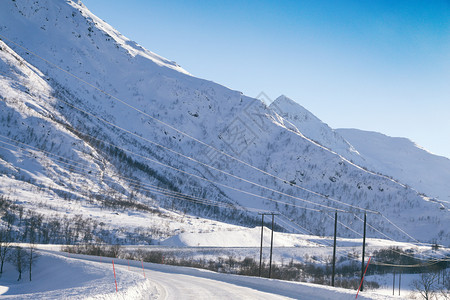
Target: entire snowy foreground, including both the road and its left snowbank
(58, 276)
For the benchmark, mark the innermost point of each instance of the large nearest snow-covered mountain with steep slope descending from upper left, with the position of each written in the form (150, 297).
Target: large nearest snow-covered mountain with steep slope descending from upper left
(90, 119)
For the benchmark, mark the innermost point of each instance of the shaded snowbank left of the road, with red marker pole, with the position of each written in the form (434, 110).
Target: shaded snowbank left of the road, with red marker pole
(57, 277)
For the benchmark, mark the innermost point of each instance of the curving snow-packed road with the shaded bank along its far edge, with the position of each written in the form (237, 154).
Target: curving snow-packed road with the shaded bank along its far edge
(172, 282)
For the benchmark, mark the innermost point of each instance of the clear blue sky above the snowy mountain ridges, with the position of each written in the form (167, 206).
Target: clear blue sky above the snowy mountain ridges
(373, 65)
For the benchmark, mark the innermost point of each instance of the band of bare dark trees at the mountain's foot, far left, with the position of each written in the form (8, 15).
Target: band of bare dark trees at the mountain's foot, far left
(18, 224)
